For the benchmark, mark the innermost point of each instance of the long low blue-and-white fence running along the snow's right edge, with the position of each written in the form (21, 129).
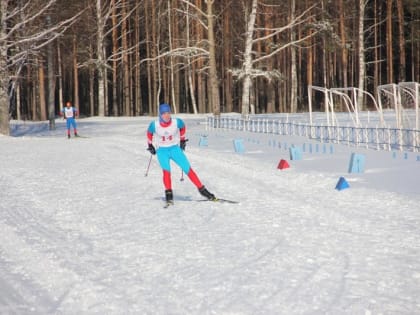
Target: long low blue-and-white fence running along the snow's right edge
(377, 138)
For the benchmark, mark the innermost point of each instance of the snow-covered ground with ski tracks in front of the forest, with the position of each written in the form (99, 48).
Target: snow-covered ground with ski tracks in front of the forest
(84, 231)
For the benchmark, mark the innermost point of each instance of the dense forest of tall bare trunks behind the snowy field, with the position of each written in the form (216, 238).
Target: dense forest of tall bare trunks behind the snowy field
(124, 57)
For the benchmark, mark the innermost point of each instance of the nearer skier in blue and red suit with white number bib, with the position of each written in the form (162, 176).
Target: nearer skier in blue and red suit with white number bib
(171, 142)
